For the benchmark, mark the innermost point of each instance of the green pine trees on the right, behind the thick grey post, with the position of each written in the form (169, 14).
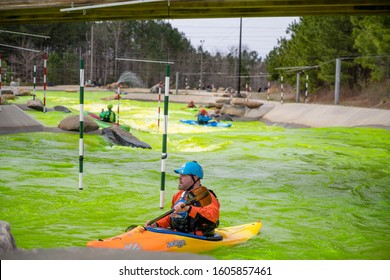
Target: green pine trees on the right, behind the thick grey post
(361, 42)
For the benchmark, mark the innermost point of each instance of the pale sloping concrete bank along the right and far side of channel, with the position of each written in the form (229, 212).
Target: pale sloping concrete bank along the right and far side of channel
(293, 114)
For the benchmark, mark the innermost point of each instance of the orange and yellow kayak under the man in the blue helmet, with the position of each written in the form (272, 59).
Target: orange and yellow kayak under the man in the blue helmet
(164, 240)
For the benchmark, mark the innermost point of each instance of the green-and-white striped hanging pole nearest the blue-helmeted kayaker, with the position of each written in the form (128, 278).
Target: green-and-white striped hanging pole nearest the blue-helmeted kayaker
(164, 154)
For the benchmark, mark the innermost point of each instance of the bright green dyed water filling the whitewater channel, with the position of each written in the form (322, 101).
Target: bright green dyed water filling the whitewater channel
(320, 193)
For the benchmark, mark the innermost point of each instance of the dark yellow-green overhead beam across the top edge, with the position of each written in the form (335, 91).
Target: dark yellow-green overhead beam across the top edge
(43, 11)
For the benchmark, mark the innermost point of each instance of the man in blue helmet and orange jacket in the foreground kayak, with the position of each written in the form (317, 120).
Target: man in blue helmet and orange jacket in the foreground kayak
(192, 218)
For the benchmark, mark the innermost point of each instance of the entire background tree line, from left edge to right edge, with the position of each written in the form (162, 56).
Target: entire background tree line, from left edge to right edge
(362, 42)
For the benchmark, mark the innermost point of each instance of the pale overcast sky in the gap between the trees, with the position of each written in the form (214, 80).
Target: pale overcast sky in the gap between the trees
(258, 34)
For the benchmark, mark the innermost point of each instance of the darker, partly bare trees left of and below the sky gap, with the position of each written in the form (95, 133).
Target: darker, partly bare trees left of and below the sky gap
(101, 43)
